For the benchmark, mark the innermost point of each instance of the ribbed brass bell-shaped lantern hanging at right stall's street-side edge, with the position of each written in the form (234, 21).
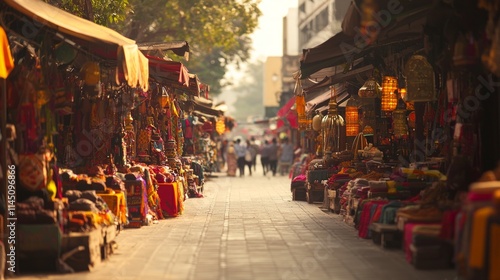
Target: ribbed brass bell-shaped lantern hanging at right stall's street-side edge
(330, 126)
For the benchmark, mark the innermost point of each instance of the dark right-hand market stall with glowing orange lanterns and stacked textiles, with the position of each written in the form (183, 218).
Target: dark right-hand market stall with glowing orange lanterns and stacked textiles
(415, 147)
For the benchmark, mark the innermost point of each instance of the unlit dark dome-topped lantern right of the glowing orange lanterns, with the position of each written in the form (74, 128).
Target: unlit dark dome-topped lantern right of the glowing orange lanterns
(420, 80)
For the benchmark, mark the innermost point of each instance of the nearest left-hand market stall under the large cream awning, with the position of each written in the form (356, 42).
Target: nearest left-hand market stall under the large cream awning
(71, 84)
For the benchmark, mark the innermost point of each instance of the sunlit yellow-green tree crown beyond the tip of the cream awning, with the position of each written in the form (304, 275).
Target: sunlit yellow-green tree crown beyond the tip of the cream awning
(217, 31)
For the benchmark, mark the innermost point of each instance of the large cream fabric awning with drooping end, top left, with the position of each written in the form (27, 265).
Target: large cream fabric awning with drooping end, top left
(97, 39)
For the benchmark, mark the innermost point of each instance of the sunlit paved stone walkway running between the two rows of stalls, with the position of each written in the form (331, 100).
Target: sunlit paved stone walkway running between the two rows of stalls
(249, 228)
